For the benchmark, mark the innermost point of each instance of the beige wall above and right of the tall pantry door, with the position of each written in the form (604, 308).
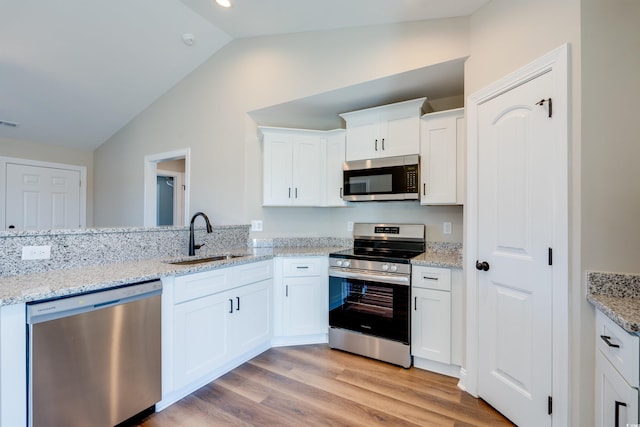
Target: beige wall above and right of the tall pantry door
(605, 196)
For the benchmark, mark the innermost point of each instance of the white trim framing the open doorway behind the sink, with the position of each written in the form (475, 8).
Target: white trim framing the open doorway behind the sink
(150, 172)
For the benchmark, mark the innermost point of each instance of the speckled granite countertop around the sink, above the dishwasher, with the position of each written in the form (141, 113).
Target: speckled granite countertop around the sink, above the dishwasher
(58, 283)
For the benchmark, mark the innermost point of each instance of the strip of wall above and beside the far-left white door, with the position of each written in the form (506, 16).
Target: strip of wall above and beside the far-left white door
(55, 154)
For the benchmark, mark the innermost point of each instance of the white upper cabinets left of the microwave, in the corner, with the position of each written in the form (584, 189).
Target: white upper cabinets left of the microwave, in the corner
(302, 167)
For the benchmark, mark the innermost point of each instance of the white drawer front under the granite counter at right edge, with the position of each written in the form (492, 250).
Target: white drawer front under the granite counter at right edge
(619, 347)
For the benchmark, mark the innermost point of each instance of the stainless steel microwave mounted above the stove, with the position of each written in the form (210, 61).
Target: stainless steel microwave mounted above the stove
(388, 178)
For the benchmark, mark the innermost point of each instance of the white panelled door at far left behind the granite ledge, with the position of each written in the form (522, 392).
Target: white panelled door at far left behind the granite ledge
(42, 197)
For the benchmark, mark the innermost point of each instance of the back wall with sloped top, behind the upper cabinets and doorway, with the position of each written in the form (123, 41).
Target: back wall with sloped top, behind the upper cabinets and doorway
(208, 112)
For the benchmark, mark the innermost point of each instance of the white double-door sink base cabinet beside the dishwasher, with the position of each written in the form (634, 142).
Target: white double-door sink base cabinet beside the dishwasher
(212, 322)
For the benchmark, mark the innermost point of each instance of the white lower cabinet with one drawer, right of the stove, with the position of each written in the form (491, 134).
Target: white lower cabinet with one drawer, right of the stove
(437, 319)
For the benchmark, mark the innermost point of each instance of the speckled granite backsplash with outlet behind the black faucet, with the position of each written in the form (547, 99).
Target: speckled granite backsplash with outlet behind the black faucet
(94, 246)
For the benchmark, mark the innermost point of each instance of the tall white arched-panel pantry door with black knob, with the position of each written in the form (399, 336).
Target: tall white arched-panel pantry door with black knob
(515, 234)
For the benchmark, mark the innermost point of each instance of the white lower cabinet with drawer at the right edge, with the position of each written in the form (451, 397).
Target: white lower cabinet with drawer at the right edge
(616, 374)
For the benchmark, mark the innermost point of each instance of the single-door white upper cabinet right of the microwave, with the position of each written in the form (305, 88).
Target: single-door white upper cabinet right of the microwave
(442, 158)
